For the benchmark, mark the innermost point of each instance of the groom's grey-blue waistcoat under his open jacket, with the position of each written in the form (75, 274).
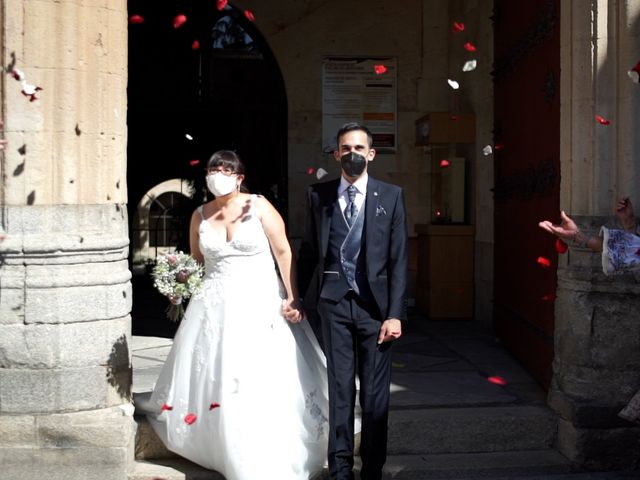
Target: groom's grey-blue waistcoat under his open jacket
(345, 267)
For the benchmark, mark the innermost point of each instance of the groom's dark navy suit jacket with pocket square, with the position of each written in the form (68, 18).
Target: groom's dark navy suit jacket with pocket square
(385, 231)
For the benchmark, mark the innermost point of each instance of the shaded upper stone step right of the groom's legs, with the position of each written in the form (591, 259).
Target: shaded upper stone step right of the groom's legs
(471, 429)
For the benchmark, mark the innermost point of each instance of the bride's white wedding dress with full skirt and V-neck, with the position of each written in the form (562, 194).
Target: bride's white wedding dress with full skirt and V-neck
(243, 391)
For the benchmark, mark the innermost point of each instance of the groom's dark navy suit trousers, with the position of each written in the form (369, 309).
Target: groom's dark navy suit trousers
(350, 329)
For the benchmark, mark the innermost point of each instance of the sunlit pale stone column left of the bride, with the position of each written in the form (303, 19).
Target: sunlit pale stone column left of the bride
(65, 295)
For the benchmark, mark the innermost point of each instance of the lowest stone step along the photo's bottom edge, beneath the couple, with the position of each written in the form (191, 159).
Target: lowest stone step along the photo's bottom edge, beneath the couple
(468, 466)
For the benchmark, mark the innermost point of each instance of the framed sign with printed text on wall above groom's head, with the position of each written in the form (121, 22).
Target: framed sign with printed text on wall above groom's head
(364, 90)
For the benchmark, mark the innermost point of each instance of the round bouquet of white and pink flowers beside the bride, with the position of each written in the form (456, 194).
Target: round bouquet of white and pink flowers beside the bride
(177, 276)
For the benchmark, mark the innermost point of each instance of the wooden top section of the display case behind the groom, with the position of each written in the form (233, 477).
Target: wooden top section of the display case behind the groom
(445, 127)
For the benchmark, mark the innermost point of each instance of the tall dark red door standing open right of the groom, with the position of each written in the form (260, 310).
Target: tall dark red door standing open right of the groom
(527, 177)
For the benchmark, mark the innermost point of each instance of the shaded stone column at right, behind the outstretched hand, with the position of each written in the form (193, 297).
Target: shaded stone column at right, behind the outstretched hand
(597, 333)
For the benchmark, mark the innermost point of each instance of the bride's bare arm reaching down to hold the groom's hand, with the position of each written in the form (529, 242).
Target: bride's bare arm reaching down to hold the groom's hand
(273, 226)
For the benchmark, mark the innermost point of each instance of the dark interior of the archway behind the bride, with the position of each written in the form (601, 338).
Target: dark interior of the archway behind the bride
(184, 103)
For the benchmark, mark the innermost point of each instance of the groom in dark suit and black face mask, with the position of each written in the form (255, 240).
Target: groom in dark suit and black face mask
(356, 243)
